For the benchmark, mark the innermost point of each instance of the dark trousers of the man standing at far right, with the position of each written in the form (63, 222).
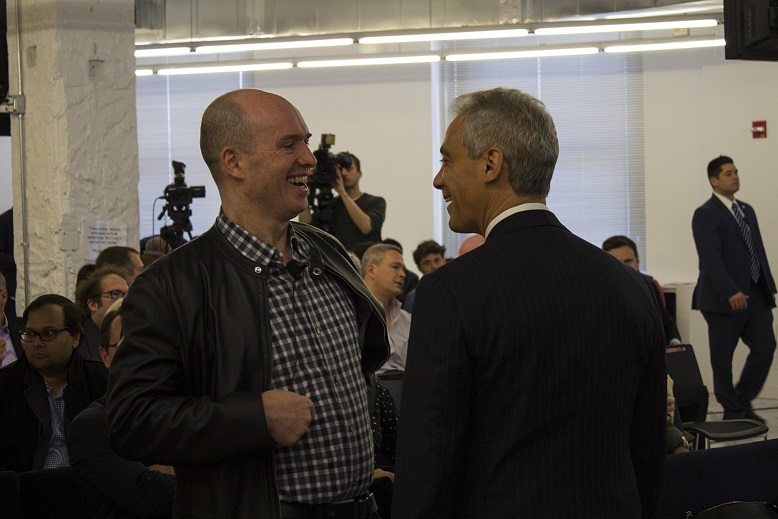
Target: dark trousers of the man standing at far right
(755, 327)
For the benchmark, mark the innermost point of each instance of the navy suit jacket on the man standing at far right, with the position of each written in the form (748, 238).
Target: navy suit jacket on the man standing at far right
(724, 258)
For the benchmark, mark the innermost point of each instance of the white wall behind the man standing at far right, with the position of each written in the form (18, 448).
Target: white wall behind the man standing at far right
(698, 106)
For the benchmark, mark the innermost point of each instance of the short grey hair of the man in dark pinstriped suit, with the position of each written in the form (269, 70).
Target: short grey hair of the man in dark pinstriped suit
(520, 126)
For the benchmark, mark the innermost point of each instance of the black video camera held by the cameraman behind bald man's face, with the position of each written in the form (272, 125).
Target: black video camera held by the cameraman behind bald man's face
(320, 198)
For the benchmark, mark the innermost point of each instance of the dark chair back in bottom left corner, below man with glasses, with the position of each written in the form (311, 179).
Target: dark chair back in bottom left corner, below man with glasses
(51, 493)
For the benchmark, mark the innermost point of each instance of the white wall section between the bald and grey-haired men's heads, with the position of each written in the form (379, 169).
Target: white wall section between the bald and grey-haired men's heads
(383, 116)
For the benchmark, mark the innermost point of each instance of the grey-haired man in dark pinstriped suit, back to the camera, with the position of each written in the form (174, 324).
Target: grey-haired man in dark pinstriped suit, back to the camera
(536, 361)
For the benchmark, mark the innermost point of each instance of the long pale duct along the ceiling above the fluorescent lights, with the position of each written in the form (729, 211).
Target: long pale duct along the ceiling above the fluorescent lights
(161, 20)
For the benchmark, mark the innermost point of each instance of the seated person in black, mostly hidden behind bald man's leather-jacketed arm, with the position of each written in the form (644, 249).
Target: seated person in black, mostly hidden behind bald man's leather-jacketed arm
(111, 486)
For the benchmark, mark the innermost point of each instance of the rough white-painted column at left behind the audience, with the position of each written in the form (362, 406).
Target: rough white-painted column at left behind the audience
(78, 144)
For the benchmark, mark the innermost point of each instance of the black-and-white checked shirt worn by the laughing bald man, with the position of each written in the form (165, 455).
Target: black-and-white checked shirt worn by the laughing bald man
(316, 353)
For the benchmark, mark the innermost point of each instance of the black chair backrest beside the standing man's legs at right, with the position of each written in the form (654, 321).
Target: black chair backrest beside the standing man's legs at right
(691, 394)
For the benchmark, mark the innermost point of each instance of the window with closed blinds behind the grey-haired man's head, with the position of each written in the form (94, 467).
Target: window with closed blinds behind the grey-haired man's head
(596, 102)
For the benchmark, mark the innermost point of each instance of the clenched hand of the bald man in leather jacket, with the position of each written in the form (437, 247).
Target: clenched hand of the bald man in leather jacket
(288, 415)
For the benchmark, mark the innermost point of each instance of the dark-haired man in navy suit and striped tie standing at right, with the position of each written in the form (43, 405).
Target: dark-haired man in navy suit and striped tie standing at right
(735, 290)
